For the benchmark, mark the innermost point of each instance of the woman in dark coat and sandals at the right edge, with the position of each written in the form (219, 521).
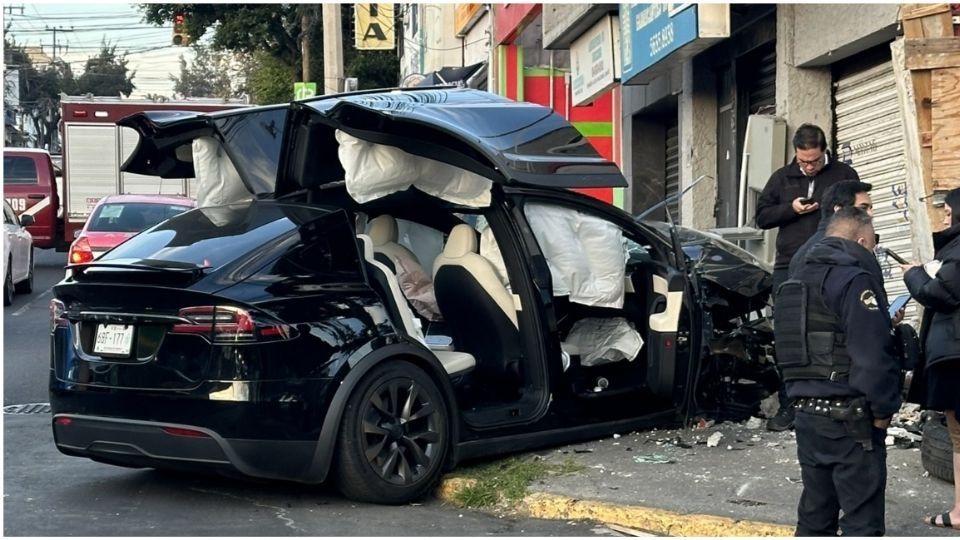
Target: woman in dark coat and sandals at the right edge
(939, 384)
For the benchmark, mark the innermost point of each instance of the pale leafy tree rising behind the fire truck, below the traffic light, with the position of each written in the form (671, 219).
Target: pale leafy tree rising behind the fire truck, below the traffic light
(211, 74)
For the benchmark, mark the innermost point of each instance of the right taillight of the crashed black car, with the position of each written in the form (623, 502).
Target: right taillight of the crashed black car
(228, 324)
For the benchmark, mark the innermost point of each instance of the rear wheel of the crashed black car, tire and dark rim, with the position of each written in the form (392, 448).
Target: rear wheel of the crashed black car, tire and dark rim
(394, 437)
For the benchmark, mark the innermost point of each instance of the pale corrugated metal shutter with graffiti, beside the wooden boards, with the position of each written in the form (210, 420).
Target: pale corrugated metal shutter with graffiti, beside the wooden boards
(869, 137)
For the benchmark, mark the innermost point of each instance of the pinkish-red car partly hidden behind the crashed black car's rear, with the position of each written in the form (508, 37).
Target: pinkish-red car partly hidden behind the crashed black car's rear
(117, 218)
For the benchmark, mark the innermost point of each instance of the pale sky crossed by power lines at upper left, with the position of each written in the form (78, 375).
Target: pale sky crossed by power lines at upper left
(150, 53)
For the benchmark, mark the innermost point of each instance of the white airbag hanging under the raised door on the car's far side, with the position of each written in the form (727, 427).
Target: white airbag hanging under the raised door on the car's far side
(218, 182)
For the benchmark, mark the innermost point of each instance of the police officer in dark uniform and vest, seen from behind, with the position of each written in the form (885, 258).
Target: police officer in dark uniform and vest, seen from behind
(836, 352)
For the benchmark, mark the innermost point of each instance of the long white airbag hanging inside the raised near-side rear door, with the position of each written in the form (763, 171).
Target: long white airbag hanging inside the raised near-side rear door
(374, 170)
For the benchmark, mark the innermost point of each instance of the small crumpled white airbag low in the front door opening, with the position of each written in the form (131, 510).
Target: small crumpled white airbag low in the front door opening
(602, 341)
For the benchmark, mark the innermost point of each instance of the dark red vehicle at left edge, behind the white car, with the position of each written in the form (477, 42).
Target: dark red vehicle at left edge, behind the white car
(30, 187)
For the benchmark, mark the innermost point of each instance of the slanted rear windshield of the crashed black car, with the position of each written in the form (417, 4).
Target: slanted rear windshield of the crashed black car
(213, 236)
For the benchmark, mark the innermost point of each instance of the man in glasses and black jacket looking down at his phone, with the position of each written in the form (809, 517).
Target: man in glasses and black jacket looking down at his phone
(790, 202)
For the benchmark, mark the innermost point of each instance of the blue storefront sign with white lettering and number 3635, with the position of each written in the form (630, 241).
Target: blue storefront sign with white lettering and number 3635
(652, 32)
